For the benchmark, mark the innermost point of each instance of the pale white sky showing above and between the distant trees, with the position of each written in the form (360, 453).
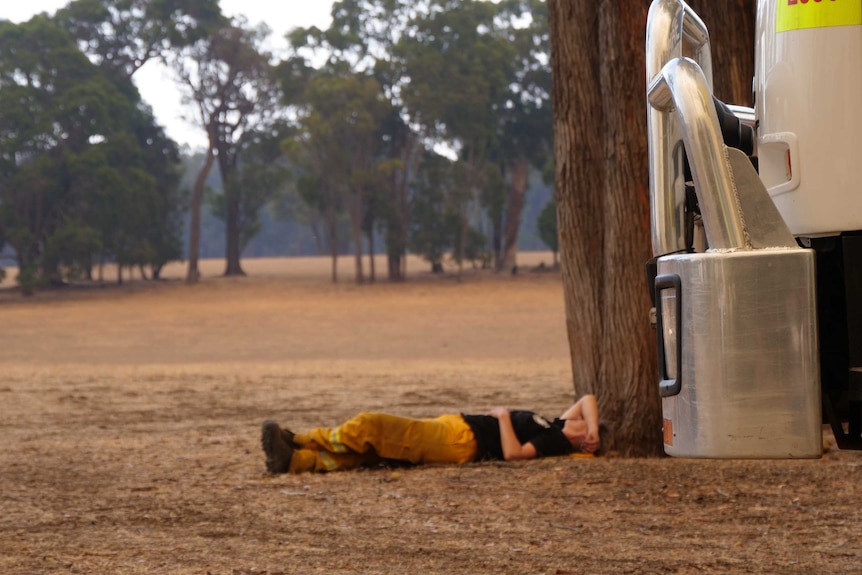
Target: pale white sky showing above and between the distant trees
(155, 83)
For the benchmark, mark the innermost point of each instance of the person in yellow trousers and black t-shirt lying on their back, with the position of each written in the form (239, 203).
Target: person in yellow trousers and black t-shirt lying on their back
(374, 438)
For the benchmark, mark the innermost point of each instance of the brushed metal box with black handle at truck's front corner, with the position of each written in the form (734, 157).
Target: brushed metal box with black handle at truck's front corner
(737, 340)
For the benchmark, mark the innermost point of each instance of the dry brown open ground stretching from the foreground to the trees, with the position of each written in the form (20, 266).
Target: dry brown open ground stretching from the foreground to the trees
(130, 441)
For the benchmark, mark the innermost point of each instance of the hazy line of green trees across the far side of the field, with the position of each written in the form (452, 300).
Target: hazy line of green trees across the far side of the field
(407, 125)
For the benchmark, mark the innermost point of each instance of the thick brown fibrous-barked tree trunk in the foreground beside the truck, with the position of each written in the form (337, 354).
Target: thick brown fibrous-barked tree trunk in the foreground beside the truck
(597, 62)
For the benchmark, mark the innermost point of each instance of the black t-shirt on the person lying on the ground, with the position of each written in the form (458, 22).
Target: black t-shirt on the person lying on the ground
(546, 436)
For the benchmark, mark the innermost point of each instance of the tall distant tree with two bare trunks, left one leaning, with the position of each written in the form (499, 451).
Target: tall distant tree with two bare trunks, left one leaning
(228, 78)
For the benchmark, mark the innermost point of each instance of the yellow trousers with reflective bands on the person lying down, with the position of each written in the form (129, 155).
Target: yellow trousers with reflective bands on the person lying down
(370, 438)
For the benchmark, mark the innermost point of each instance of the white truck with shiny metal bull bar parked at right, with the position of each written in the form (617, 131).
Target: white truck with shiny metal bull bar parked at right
(756, 217)
